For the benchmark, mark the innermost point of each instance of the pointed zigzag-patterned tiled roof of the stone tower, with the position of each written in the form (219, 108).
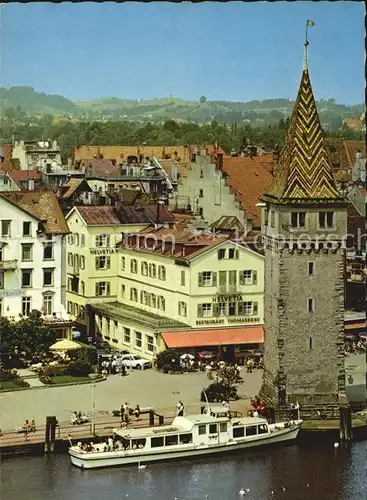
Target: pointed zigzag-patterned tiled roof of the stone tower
(303, 173)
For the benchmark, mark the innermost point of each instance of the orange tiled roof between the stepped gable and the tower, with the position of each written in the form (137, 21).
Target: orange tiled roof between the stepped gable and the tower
(249, 178)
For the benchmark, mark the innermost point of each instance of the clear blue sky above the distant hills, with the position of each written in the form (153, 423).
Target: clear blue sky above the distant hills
(229, 51)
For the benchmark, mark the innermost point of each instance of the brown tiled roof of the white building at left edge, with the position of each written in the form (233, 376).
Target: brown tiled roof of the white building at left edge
(41, 205)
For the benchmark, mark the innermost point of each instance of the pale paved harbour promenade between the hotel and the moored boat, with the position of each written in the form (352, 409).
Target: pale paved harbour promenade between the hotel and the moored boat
(147, 388)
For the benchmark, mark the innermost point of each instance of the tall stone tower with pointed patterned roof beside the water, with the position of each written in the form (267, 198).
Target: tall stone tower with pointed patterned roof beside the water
(304, 228)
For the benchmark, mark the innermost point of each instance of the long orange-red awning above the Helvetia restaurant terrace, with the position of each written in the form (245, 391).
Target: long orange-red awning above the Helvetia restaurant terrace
(214, 337)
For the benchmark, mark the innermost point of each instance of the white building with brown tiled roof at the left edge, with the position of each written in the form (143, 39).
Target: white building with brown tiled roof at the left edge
(32, 256)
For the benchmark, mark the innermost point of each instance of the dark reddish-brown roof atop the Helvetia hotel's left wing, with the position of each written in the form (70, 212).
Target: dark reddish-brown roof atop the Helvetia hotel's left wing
(123, 215)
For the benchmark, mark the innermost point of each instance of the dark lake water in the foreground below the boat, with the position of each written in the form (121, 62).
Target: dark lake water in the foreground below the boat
(306, 472)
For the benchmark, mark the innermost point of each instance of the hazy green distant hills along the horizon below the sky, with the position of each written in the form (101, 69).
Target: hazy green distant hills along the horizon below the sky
(267, 111)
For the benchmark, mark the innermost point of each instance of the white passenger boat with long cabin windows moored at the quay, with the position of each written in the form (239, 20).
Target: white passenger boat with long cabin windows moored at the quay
(213, 432)
